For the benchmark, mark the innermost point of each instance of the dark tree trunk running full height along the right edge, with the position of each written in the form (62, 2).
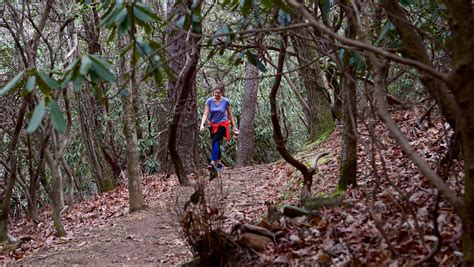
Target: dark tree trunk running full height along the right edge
(461, 18)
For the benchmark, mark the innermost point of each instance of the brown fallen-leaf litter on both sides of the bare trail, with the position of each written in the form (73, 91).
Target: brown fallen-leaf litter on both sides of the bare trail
(392, 217)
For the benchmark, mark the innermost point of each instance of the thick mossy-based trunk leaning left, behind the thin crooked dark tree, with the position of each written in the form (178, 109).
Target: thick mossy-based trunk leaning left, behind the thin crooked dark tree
(319, 117)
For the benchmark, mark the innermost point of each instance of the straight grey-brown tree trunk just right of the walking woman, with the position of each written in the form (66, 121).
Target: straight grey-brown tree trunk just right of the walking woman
(245, 145)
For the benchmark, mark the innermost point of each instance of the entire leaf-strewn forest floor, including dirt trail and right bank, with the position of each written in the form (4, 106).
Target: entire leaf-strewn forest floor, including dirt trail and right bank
(387, 220)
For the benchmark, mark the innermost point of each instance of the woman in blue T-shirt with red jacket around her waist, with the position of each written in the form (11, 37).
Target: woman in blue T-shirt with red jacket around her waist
(218, 114)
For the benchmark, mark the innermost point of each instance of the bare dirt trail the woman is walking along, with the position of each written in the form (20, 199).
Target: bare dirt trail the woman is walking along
(151, 237)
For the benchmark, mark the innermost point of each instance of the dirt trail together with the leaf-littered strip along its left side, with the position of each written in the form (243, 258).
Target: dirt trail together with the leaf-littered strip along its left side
(101, 232)
